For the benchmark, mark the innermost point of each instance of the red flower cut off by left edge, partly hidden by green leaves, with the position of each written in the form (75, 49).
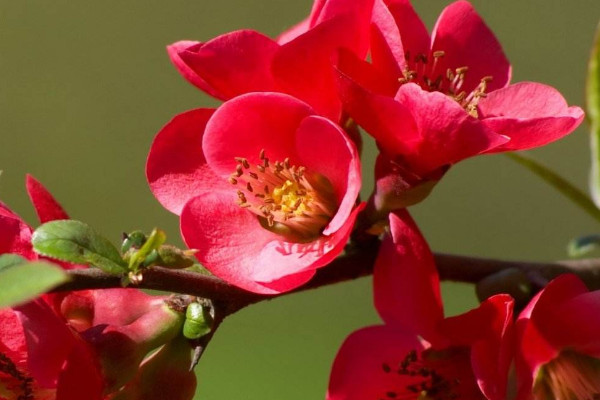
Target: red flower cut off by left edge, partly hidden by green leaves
(40, 356)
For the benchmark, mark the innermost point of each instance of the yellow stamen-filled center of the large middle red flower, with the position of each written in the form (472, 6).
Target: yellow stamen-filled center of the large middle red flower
(288, 200)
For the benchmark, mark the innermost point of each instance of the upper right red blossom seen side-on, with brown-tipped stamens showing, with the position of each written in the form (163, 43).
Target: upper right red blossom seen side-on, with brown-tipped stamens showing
(432, 101)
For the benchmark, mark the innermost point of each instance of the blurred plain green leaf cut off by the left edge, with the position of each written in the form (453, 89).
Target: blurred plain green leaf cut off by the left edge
(23, 282)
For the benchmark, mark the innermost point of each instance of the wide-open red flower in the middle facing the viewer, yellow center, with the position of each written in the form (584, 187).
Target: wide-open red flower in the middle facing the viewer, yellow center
(265, 188)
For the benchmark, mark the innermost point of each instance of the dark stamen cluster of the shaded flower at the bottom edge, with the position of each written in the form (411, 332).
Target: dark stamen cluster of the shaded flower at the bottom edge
(420, 381)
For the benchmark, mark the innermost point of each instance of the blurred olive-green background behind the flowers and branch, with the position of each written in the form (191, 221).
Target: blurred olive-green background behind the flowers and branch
(84, 87)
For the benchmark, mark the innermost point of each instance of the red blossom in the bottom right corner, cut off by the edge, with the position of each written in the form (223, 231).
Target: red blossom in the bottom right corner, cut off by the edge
(558, 347)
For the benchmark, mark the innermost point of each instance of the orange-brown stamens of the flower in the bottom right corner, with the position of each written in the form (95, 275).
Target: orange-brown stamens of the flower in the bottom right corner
(570, 376)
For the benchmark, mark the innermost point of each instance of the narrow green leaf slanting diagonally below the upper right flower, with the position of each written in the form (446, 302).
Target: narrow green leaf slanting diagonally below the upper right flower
(573, 193)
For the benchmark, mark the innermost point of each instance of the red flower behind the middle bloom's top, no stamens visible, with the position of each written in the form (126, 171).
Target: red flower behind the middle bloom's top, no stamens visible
(299, 62)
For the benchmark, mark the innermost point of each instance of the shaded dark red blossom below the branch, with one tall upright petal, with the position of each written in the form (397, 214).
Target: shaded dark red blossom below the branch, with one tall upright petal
(419, 354)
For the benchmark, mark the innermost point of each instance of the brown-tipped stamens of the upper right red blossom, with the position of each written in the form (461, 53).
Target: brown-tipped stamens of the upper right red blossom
(426, 72)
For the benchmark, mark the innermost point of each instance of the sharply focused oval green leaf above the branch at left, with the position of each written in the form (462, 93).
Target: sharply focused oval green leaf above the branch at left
(76, 242)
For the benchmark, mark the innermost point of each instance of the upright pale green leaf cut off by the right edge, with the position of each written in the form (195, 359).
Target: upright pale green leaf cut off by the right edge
(592, 98)
